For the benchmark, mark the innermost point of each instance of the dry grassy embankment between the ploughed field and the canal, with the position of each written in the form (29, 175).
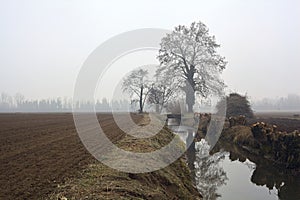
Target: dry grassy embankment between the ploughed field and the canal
(101, 182)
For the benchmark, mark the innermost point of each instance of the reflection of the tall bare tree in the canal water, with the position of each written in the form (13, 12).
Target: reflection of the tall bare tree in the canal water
(209, 174)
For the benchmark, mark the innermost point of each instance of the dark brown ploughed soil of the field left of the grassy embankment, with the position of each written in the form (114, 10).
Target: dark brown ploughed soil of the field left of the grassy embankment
(40, 151)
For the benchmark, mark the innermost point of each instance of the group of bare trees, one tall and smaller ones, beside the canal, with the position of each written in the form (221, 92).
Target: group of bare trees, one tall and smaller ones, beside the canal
(189, 64)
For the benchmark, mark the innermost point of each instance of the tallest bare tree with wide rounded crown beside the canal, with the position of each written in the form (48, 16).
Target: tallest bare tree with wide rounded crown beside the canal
(189, 53)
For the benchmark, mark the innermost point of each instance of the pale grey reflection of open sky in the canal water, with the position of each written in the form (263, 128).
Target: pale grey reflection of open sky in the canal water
(239, 185)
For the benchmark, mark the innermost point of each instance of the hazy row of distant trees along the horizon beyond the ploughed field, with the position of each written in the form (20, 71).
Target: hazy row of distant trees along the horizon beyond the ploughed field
(18, 103)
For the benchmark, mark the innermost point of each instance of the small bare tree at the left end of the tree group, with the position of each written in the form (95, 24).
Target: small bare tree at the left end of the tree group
(137, 84)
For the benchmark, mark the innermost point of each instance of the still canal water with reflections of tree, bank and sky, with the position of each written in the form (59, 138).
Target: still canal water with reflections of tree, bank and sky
(231, 173)
